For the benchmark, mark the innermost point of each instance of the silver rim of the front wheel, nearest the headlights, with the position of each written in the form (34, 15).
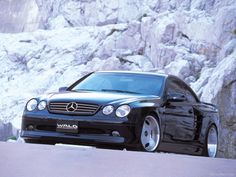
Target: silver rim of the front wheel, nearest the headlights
(150, 135)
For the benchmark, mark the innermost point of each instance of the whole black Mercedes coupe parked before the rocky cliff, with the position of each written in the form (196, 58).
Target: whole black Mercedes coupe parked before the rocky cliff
(117, 109)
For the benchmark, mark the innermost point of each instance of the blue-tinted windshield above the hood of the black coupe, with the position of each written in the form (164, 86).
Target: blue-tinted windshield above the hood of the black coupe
(122, 82)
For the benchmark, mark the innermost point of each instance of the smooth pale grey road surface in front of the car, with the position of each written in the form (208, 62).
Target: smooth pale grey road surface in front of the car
(32, 160)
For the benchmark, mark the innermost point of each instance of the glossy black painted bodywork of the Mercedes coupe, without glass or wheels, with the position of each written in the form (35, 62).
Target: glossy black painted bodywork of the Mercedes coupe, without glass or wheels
(183, 125)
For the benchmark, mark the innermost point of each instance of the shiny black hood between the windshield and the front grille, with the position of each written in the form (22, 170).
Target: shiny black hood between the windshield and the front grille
(98, 97)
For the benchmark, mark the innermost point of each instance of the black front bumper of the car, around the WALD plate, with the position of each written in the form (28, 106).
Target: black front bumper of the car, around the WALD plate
(89, 132)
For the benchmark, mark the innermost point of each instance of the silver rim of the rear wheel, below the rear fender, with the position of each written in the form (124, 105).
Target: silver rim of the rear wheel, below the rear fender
(212, 142)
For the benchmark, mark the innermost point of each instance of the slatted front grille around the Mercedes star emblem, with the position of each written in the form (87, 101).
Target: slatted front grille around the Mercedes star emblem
(80, 109)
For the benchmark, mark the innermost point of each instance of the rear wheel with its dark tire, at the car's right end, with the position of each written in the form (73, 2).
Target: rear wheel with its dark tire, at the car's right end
(211, 142)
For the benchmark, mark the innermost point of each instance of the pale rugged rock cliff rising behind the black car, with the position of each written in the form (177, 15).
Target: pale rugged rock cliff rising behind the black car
(194, 40)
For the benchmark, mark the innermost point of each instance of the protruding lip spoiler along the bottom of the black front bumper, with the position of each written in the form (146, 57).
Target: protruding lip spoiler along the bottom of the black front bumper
(60, 136)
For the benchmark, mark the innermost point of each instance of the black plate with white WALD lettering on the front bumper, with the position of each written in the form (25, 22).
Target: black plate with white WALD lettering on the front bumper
(67, 126)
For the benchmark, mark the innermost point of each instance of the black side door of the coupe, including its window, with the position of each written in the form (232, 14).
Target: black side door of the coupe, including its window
(179, 115)
